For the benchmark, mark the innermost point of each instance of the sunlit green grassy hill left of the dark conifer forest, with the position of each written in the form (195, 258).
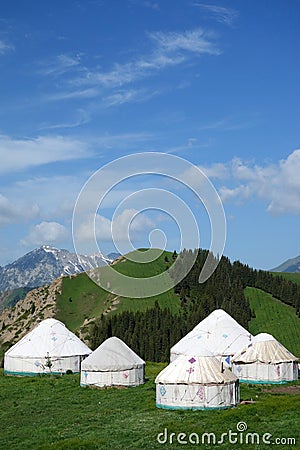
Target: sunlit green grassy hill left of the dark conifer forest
(81, 298)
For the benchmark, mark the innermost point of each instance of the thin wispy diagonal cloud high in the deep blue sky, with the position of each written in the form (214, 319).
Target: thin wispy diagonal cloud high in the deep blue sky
(166, 49)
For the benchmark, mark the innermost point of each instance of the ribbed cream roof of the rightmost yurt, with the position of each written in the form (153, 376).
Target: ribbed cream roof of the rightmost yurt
(266, 349)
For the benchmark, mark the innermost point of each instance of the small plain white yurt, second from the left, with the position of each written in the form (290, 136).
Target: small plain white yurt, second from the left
(113, 363)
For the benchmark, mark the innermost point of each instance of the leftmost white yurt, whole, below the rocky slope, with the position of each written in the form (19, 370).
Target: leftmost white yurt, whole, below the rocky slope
(49, 347)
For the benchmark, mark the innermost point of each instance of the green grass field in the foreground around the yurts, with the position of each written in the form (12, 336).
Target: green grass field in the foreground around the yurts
(56, 413)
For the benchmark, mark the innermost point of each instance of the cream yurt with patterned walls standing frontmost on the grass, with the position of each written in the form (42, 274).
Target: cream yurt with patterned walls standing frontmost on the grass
(196, 382)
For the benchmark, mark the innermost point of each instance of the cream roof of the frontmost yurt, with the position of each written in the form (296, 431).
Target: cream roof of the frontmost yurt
(193, 369)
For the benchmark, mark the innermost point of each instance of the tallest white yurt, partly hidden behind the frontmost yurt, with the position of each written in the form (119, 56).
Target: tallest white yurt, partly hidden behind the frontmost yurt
(218, 332)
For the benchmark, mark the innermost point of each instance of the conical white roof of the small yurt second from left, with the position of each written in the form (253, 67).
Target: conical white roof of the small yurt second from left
(112, 355)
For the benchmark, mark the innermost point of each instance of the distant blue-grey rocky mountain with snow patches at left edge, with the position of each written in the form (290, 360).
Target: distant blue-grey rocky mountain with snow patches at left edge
(44, 265)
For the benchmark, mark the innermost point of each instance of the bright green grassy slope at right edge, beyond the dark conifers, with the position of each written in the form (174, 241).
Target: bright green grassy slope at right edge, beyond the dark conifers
(274, 317)
